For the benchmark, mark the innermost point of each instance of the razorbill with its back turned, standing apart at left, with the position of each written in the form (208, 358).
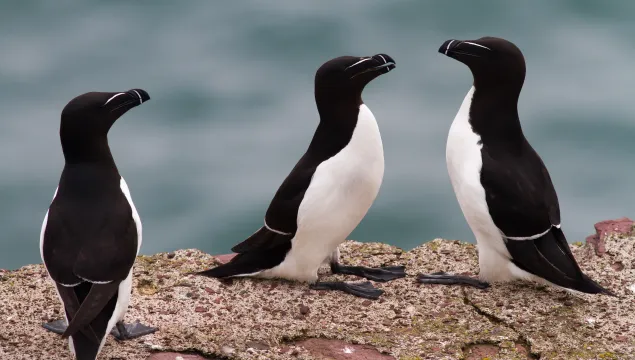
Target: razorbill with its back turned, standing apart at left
(92, 232)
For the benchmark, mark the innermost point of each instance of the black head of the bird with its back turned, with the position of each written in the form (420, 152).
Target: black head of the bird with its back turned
(87, 119)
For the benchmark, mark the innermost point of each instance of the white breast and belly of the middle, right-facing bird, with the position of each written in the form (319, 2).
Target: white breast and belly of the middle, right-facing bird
(342, 190)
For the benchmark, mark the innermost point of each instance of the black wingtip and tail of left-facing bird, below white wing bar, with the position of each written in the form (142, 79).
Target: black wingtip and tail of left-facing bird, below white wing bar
(550, 258)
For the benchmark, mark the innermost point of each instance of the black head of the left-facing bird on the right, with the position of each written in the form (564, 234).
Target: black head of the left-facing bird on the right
(493, 61)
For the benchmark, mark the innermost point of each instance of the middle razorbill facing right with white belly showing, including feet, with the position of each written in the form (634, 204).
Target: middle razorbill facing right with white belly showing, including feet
(328, 192)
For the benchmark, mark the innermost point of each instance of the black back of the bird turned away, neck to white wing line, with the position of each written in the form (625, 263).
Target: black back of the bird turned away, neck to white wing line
(90, 233)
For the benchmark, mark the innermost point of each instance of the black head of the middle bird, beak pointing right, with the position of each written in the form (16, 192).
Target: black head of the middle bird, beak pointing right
(343, 79)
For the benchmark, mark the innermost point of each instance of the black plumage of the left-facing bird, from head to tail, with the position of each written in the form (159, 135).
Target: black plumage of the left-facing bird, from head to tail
(520, 195)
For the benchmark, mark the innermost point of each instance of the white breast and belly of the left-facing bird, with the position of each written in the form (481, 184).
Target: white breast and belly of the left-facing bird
(463, 157)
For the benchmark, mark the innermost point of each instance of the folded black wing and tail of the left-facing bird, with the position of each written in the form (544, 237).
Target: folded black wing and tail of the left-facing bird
(523, 204)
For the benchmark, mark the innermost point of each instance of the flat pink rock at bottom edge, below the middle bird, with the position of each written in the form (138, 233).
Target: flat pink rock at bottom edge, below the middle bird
(340, 350)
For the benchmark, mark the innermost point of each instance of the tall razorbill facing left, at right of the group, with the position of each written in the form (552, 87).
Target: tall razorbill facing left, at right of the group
(501, 183)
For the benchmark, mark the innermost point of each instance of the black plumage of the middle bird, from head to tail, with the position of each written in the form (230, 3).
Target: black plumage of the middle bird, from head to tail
(338, 94)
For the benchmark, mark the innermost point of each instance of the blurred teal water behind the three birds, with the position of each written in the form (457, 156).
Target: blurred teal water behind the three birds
(232, 107)
